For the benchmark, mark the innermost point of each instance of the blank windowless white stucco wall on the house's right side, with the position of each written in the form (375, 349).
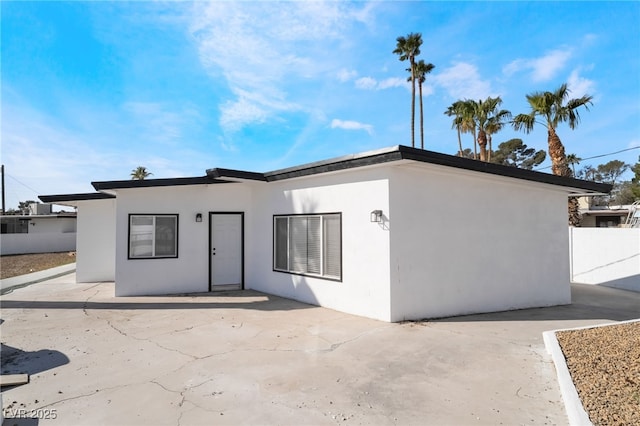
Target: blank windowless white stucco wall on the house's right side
(465, 242)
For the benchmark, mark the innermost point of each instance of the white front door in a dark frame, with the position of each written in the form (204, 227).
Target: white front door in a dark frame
(226, 249)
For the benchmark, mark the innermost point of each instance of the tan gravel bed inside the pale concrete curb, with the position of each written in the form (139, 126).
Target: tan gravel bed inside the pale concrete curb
(605, 367)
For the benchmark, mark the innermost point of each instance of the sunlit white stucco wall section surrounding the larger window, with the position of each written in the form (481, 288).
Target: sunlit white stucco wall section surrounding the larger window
(364, 289)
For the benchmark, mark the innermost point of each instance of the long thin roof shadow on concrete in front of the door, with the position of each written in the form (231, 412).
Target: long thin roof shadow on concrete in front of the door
(196, 301)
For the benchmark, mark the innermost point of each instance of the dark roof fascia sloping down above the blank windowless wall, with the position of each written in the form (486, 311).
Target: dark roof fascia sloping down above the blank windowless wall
(431, 157)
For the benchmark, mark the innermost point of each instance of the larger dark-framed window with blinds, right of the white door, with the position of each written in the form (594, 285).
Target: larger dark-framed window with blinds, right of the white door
(308, 244)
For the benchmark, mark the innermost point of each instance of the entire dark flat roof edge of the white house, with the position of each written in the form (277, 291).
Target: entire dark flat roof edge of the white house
(381, 156)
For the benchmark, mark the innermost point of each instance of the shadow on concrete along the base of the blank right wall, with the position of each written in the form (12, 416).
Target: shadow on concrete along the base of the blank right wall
(588, 302)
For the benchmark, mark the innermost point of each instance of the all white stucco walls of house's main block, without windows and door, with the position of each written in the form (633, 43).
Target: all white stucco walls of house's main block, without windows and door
(453, 242)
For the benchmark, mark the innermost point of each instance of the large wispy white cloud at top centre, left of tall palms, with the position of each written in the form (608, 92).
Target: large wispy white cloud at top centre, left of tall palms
(261, 48)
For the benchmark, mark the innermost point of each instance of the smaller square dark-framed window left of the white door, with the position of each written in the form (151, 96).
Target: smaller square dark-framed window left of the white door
(153, 236)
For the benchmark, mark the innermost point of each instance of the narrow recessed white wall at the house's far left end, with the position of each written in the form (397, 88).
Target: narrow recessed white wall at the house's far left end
(96, 240)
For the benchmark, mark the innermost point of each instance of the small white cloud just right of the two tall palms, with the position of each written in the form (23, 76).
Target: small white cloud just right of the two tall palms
(463, 81)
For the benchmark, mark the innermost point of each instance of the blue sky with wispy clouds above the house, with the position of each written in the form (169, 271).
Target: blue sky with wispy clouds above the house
(91, 90)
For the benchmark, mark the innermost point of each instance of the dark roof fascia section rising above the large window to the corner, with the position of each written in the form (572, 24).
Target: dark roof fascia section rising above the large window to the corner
(335, 164)
